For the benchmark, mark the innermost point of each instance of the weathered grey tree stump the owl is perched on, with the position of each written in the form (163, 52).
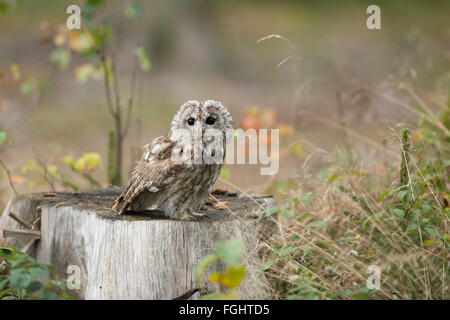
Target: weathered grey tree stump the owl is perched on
(133, 256)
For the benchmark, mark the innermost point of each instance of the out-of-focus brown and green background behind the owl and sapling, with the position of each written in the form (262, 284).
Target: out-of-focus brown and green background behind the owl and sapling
(208, 49)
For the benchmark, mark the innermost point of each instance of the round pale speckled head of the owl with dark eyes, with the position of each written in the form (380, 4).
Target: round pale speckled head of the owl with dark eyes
(202, 120)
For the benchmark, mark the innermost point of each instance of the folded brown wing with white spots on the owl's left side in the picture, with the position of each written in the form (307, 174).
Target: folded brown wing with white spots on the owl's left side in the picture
(151, 173)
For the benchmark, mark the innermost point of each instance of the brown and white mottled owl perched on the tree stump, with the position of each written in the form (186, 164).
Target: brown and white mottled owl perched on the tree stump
(176, 172)
